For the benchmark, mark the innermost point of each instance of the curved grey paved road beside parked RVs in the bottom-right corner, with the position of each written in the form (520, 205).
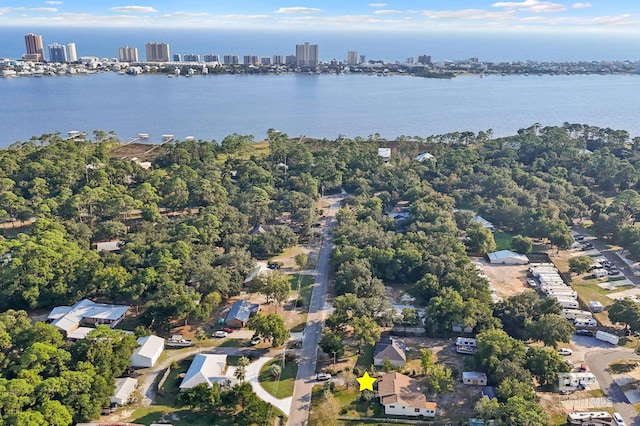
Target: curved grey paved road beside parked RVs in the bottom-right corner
(598, 361)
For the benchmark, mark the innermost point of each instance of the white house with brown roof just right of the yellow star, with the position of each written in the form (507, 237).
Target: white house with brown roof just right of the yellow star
(400, 396)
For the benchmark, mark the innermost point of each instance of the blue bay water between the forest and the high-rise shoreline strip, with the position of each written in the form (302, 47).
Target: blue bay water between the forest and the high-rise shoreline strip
(324, 106)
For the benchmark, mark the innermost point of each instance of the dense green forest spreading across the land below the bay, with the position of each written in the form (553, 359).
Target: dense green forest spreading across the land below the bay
(186, 224)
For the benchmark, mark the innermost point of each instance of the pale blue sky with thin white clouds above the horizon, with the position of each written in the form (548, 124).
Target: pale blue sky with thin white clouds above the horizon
(606, 16)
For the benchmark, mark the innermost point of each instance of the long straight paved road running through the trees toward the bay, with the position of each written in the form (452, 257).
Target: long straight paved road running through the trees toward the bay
(308, 355)
